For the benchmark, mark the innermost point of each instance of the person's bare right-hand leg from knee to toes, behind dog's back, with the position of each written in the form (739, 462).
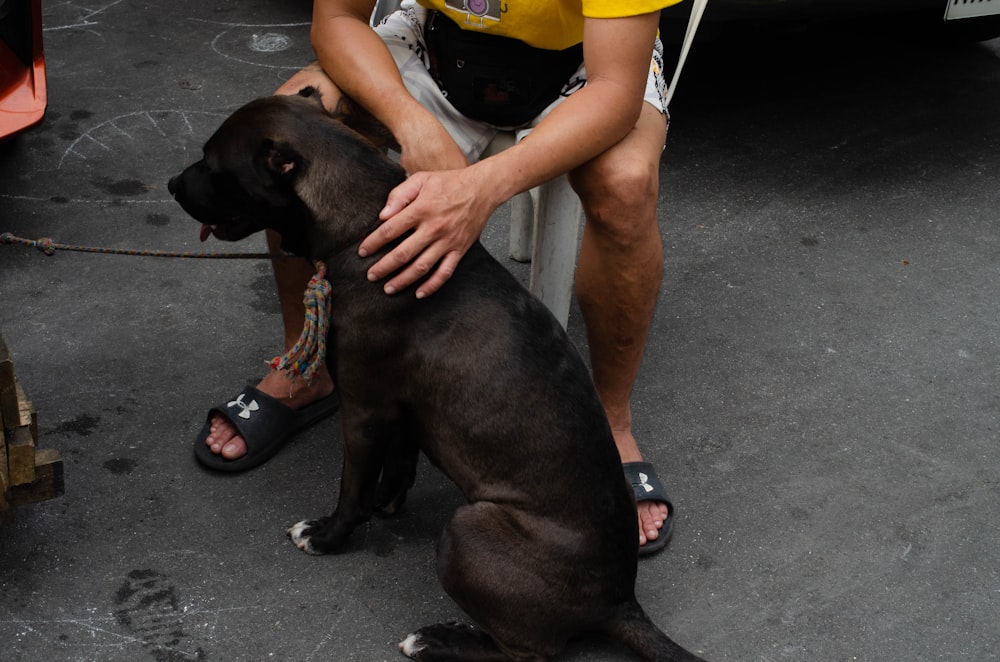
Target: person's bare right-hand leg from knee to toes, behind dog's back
(619, 274)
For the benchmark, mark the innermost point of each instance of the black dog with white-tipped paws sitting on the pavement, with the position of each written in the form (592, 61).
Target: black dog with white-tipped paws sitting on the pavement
(479, 376)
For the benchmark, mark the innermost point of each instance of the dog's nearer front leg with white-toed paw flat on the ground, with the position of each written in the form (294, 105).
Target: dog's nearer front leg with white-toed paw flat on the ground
(365, 440)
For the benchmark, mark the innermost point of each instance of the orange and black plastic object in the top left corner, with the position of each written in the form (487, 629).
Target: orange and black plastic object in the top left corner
(23, 94)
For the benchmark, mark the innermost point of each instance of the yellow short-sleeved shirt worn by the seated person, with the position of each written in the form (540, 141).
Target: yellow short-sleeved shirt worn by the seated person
(551, 24)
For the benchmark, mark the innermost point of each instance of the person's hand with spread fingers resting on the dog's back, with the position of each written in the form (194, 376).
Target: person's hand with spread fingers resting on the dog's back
(446, 211)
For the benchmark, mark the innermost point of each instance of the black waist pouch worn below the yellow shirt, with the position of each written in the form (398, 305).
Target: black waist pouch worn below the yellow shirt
(495, 79)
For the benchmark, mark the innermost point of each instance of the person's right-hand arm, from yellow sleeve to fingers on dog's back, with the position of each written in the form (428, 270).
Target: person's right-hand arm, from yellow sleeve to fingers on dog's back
(448, 210)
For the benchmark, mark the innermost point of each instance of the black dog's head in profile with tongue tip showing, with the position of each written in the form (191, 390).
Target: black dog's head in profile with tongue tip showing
(279, 163)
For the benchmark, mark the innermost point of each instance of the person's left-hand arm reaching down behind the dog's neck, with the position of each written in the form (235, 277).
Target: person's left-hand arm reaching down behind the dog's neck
(357, 61)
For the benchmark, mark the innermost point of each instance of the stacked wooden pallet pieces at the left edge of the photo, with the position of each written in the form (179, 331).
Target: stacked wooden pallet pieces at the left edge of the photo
(27, 474)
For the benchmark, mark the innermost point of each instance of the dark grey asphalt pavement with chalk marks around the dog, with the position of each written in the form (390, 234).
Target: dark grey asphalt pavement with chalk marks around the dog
(819, 392)
